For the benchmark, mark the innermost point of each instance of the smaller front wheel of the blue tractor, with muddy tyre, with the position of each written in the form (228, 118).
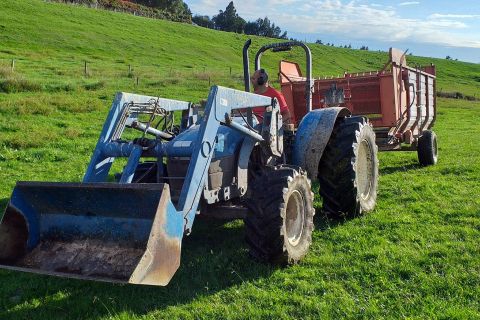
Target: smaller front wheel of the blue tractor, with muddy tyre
(278, 227)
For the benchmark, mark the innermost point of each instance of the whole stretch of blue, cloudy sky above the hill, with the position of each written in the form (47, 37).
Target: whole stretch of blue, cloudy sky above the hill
(426, 28)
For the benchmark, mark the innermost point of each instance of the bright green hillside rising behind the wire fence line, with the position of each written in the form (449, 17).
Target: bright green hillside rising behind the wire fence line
(56, 39)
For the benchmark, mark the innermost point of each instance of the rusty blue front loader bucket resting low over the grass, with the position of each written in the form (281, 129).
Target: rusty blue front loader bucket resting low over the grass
(100, 231)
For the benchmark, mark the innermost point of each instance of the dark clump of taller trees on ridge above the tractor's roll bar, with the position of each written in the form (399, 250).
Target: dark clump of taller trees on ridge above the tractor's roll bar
(230, 21)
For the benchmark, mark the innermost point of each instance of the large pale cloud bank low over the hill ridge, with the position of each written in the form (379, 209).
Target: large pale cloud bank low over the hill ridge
(355, 20)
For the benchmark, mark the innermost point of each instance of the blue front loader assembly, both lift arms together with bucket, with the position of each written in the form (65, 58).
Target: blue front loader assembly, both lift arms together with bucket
(118, 232)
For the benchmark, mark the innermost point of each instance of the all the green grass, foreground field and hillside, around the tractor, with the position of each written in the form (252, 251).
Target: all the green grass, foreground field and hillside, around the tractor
(415, 256)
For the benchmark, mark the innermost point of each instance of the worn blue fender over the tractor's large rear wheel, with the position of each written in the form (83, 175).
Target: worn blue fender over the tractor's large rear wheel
(312, 137)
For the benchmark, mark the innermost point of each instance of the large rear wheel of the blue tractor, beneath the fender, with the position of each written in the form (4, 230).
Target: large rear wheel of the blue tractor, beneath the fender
(348, 170)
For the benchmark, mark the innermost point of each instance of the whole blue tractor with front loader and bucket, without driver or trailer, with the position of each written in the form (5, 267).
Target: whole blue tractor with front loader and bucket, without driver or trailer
(221, 161)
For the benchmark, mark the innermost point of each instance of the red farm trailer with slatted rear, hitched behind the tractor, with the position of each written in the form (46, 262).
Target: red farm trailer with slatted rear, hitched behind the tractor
(399, 101)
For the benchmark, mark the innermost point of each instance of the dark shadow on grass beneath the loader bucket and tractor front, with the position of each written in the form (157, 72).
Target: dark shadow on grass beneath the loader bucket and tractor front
(214, 257)
